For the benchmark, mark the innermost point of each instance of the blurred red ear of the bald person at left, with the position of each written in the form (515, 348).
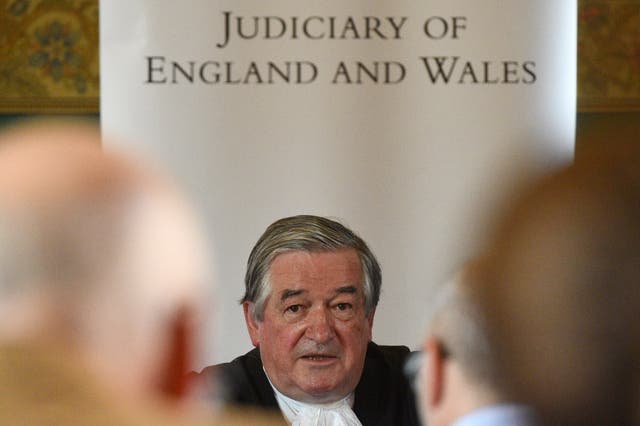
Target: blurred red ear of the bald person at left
(174, 377)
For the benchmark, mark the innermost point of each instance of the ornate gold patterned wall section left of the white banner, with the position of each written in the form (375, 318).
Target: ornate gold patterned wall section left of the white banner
(49, 56)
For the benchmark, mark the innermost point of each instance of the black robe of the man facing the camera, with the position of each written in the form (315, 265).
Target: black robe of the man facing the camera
(383, 396)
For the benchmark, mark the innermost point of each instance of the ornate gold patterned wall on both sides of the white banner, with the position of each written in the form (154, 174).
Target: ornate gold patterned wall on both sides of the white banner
(49, 55)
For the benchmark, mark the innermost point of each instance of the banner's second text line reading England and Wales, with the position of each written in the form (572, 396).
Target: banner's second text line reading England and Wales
(434, 69)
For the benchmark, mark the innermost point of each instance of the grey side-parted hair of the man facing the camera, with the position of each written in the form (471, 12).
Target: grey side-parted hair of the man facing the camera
(311, 234)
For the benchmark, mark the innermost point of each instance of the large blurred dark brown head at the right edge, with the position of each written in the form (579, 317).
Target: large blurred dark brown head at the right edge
(565, 294)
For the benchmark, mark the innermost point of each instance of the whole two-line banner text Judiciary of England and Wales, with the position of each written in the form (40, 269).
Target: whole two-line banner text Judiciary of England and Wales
(435, 69)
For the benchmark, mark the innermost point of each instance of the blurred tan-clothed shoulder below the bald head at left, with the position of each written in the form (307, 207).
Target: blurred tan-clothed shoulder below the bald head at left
(44, 385)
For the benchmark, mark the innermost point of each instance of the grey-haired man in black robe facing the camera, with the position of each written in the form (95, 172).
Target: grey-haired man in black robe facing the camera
(312, 287)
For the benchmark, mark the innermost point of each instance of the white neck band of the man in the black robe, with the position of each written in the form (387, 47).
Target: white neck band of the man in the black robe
(298, 413)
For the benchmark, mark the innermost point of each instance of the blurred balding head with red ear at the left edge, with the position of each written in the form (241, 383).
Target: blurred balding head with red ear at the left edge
(101, 268)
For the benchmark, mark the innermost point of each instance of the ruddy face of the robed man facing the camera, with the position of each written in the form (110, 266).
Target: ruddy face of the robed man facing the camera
(314, 334)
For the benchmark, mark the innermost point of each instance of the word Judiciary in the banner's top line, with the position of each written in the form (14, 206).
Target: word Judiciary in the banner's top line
(310, 27)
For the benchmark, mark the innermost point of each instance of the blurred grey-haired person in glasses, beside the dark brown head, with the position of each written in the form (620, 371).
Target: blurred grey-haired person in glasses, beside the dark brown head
(460, 381)
